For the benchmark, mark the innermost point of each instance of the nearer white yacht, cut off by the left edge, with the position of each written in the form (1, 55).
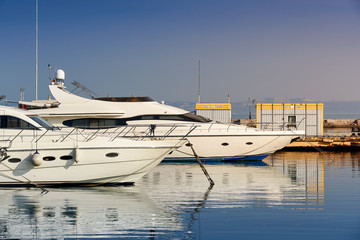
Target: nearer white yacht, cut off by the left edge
(33, 152)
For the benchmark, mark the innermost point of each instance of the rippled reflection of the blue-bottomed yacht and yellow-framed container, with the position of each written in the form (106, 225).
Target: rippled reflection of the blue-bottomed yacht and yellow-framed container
(285, 179)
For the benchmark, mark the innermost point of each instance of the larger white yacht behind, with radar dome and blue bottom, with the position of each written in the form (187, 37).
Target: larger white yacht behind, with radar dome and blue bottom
(212, 141)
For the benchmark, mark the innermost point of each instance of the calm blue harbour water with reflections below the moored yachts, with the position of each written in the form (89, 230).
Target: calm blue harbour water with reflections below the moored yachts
(290, 195)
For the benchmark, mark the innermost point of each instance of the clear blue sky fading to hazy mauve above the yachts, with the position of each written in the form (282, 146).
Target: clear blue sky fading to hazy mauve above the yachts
(247, 48)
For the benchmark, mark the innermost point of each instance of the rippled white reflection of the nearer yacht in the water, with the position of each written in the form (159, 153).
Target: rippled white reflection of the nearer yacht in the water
(78, 212)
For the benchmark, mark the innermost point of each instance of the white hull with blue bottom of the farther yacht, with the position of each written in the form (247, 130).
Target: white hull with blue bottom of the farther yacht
(231, 147)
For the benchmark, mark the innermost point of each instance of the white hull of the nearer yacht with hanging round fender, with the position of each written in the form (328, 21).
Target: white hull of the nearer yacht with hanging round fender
(85, 164)
